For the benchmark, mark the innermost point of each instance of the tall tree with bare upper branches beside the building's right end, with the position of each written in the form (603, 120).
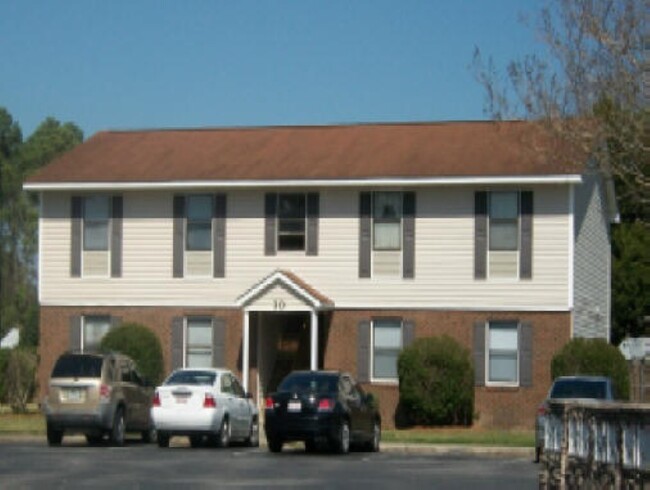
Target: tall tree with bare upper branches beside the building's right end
(587, 88)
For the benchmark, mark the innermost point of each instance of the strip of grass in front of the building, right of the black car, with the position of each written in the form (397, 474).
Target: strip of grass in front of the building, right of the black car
(460, 435)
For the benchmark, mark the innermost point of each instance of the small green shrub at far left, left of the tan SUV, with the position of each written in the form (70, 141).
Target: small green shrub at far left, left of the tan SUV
(20, 378)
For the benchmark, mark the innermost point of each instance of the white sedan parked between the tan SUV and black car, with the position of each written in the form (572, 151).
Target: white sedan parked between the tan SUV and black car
(204, 404)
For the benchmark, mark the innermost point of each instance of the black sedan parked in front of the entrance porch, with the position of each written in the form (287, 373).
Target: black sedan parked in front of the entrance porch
(322, 408)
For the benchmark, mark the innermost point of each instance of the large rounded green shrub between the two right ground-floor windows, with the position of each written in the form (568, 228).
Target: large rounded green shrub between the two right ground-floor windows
(436, 382)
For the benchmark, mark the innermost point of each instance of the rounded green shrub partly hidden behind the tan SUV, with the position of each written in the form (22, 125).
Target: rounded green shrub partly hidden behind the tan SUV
(140, 344)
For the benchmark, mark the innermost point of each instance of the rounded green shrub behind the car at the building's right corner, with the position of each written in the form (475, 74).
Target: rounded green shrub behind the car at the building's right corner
(593, 357)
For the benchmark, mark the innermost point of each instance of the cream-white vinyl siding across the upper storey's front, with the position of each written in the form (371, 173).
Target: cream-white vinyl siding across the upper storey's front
(444, 259)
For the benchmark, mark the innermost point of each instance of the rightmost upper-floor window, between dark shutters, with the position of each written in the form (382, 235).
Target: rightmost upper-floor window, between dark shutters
(504, 221)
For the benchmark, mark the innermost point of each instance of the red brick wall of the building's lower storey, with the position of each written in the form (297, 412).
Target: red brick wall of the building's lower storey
(494, 407)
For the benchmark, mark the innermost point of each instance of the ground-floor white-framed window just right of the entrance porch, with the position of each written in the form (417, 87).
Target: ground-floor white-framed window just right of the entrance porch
(386, 346)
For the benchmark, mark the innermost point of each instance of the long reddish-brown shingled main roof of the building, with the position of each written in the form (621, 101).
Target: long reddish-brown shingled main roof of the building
(363, 151)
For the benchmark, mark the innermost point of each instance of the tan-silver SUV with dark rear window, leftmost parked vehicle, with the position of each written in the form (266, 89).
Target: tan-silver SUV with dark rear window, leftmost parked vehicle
(97, 395)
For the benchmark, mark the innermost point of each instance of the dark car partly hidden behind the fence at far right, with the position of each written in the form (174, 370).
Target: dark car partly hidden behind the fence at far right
(574, 388)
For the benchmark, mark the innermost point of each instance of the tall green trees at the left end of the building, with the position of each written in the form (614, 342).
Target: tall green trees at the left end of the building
(19, 215)
